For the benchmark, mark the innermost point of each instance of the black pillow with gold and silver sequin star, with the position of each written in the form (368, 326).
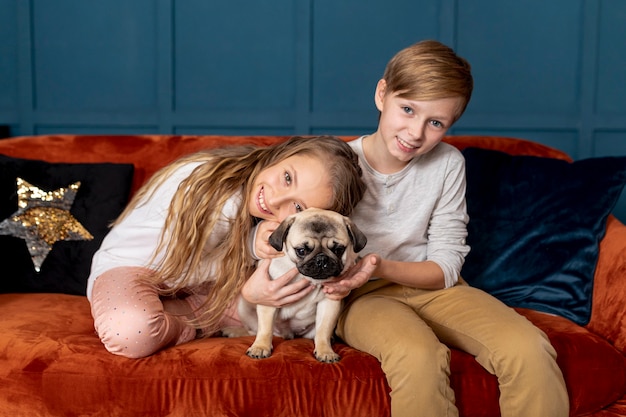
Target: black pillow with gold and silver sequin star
(53, 217)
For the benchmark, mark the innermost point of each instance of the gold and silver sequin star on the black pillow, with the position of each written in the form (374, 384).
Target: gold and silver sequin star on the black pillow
(43, 218)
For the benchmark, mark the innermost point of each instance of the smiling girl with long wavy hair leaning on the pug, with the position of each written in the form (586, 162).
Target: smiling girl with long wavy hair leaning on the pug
(177, 257)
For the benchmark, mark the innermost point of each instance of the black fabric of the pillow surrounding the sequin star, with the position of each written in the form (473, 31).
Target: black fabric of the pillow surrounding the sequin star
(101, 197)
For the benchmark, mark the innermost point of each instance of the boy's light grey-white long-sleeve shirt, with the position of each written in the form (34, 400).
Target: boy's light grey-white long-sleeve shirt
(419, 213)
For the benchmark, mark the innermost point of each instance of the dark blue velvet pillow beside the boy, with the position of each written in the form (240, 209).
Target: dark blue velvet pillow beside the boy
(535, 226)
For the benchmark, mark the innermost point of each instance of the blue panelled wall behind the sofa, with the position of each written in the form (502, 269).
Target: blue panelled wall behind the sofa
(550, 71)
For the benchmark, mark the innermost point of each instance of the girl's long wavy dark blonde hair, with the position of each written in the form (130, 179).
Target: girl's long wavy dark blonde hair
(197, 204)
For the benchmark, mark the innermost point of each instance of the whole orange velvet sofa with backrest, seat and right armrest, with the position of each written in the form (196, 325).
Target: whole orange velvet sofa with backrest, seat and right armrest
(53, 364)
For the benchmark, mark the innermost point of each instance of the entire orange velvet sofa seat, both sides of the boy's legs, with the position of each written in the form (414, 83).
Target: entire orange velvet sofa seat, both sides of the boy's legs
(56, 355)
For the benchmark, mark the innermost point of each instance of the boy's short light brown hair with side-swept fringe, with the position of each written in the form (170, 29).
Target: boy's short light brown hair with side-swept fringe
(429, 70)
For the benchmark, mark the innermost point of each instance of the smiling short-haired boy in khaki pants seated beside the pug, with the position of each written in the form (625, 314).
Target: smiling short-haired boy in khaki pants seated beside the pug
(415, 218)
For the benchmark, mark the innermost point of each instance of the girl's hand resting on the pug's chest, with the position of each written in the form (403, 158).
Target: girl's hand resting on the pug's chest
(261, 289)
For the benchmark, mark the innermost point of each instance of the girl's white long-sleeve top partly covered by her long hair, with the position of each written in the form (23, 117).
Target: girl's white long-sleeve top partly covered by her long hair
(133, 241)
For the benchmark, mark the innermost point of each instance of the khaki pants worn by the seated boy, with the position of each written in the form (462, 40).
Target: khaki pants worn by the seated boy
(408, 330)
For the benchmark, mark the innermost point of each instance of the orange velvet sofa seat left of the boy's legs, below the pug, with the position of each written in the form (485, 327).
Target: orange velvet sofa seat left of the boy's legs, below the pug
(54, 364)
